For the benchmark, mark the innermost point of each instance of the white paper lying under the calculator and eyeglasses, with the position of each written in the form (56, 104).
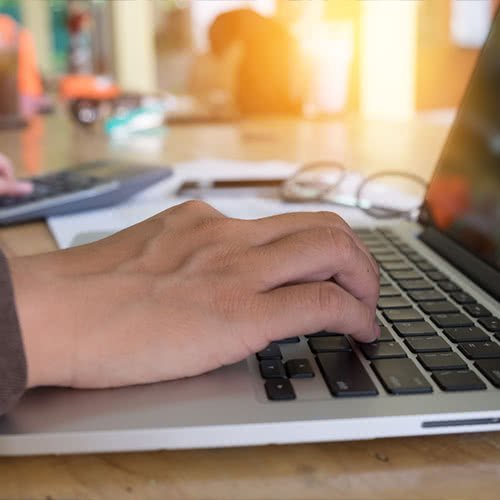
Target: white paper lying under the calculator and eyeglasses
(70, 230)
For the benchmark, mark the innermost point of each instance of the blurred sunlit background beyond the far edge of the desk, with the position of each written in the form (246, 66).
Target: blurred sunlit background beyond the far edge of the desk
(217, 59)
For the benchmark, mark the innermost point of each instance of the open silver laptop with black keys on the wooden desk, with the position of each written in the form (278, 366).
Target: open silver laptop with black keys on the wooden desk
(435, 369)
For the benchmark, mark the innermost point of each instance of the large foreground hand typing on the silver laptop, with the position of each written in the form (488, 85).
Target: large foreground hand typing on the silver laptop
(188, 291)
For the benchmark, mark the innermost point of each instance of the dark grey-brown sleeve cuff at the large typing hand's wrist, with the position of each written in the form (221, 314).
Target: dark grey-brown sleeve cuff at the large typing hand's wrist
(13, 372)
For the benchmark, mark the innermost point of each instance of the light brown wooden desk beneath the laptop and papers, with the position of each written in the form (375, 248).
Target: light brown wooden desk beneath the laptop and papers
(458, 467)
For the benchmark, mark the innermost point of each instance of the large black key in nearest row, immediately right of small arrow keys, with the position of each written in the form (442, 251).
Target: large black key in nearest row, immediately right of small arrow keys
(345, 375)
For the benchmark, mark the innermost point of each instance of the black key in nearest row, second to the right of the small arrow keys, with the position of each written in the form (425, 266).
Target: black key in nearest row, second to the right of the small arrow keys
(401, 376)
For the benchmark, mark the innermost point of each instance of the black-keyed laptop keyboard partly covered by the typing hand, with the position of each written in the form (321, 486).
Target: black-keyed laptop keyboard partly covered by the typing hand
(431, 330)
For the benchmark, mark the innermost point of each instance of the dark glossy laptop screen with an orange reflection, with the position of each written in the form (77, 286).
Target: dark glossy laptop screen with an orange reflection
(463, 199)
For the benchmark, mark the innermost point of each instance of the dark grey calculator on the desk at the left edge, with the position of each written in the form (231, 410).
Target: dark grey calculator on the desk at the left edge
(81, 187)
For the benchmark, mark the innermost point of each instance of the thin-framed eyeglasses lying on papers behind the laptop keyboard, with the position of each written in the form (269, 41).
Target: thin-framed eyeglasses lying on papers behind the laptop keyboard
(383, 195)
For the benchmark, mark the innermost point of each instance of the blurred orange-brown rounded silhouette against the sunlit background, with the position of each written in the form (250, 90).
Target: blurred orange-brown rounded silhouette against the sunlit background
(256, 60)
